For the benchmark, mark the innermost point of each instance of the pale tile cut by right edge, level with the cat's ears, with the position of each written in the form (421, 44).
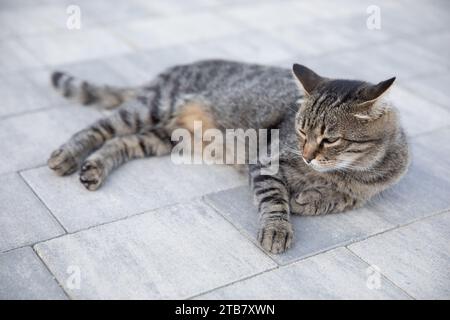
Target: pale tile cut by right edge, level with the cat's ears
(433, 88)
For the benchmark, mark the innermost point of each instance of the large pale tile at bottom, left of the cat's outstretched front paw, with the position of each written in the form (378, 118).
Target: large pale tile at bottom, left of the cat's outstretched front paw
(175, 252)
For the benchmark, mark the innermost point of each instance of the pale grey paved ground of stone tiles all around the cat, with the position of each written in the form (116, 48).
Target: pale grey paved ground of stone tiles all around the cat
(154, 235)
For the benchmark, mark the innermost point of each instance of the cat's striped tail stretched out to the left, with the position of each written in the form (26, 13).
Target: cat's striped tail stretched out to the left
(88, 94)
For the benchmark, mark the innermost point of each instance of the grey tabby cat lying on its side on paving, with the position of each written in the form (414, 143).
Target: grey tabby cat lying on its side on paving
(340, 142)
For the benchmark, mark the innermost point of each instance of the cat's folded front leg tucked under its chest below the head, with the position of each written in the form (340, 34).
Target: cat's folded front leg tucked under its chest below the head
(319, 200)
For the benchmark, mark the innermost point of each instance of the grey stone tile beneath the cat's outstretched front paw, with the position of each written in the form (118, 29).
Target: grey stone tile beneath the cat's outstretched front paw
(312, 235)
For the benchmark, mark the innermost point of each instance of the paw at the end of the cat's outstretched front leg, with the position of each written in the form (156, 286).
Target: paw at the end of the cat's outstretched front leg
(276, 236)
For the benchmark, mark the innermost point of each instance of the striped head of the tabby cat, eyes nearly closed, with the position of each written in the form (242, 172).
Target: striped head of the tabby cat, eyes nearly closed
(342, 124)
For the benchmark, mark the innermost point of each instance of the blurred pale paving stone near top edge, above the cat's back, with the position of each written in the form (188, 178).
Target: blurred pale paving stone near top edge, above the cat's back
(174, 30)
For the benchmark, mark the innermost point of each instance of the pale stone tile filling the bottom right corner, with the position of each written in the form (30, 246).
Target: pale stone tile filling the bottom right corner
(415, 257)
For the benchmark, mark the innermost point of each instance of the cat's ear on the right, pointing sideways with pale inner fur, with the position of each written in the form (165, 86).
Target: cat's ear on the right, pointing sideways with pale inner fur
(370, 109)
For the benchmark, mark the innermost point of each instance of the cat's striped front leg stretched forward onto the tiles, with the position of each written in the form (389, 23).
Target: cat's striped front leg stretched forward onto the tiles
(272, 197)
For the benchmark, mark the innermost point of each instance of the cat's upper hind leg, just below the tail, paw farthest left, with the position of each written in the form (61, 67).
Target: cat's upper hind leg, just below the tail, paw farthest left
(127, 120)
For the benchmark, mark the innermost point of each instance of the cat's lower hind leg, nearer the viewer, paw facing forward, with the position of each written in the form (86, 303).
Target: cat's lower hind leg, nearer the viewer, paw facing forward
(119, 150)
